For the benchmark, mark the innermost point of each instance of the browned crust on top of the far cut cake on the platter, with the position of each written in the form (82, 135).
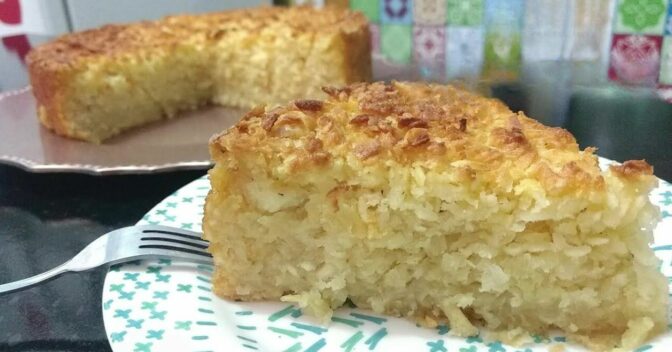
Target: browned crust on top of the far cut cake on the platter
(118, 39)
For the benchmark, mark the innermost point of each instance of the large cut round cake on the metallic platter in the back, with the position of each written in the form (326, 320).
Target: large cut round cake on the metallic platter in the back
(94, 84)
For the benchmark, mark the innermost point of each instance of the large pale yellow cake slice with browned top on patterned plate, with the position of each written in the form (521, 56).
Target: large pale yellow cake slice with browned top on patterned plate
(429, 202)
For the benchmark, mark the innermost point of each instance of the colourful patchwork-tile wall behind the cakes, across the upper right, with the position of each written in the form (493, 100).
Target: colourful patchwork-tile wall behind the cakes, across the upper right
(630, 41)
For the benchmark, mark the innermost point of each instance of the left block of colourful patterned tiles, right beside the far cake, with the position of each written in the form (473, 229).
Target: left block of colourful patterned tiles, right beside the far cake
(448, 38)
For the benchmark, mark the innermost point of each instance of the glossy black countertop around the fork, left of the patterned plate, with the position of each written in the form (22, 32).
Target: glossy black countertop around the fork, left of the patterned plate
(44, 220)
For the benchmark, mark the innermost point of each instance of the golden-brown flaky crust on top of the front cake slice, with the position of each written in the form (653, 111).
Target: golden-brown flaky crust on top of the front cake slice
(438, 127)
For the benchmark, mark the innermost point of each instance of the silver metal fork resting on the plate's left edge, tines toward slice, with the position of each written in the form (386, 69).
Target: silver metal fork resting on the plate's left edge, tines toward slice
(124, 245)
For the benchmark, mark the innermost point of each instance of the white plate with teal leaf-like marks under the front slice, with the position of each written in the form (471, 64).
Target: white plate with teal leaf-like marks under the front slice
(169, 306)
